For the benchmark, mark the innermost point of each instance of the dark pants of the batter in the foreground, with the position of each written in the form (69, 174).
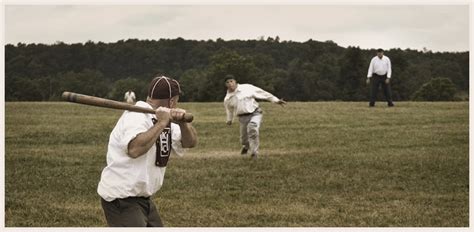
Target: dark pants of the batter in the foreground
(131, 212)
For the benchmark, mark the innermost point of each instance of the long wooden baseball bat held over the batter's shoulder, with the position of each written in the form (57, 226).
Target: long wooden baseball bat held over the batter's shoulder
(107, 103)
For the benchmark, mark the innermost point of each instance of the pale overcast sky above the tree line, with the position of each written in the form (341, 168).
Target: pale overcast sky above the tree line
(436, 27)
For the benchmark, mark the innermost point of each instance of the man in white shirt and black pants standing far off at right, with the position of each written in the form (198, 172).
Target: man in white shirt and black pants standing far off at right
(380, 71)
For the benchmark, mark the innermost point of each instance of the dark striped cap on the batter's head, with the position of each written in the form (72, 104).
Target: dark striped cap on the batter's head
(163, 88)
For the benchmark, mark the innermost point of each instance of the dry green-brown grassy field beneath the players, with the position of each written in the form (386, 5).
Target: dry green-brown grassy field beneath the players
(322, 164)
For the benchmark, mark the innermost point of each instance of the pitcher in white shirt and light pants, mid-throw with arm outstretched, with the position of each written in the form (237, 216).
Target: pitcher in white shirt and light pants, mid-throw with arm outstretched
(240, 101)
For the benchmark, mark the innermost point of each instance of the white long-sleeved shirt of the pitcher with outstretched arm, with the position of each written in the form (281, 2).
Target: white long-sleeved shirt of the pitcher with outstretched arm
(242, 100)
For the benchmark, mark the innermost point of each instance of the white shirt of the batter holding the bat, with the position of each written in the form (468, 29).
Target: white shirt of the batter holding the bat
(140, 177)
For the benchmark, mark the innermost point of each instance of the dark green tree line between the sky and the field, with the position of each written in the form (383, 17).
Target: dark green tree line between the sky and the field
(295, 71)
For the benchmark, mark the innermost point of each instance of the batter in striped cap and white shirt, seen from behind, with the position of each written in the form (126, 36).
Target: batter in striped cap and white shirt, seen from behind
(137, 155)
